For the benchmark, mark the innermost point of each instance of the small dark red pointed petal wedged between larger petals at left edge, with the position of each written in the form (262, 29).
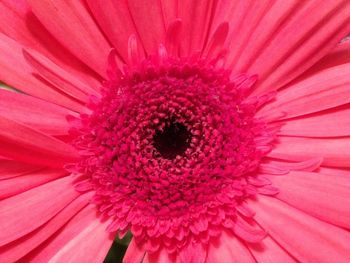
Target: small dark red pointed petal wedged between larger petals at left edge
(11, 169)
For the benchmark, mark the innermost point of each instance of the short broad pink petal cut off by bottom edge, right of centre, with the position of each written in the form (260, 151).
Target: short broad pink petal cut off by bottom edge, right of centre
(229, 249)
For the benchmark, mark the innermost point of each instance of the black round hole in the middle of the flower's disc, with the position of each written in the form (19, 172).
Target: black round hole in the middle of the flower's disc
(173, 140)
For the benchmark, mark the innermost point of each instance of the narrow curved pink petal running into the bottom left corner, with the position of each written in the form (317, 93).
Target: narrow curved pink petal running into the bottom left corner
(20, 247)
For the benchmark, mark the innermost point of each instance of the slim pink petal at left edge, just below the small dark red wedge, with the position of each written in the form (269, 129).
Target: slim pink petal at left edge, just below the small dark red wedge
(19, 184)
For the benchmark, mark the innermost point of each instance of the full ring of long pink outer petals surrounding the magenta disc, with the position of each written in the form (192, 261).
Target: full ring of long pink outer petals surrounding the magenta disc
(56, 52)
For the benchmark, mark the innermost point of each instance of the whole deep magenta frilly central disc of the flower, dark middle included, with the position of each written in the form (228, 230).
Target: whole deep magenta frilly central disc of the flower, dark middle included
(171, 150)
